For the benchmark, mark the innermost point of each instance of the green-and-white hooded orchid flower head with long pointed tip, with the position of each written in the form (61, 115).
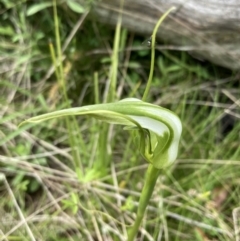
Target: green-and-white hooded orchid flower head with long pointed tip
(157, 130)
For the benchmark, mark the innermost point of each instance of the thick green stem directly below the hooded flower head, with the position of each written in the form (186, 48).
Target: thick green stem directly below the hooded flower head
(151, 178)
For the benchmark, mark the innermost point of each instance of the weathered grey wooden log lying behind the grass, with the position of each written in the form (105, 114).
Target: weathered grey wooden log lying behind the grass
(210, 29)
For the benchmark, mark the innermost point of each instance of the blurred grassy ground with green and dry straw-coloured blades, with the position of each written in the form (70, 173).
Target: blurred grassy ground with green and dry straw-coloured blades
(80, 179)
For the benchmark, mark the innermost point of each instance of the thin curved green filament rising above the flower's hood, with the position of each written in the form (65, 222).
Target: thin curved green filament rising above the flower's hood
(153, 52)
